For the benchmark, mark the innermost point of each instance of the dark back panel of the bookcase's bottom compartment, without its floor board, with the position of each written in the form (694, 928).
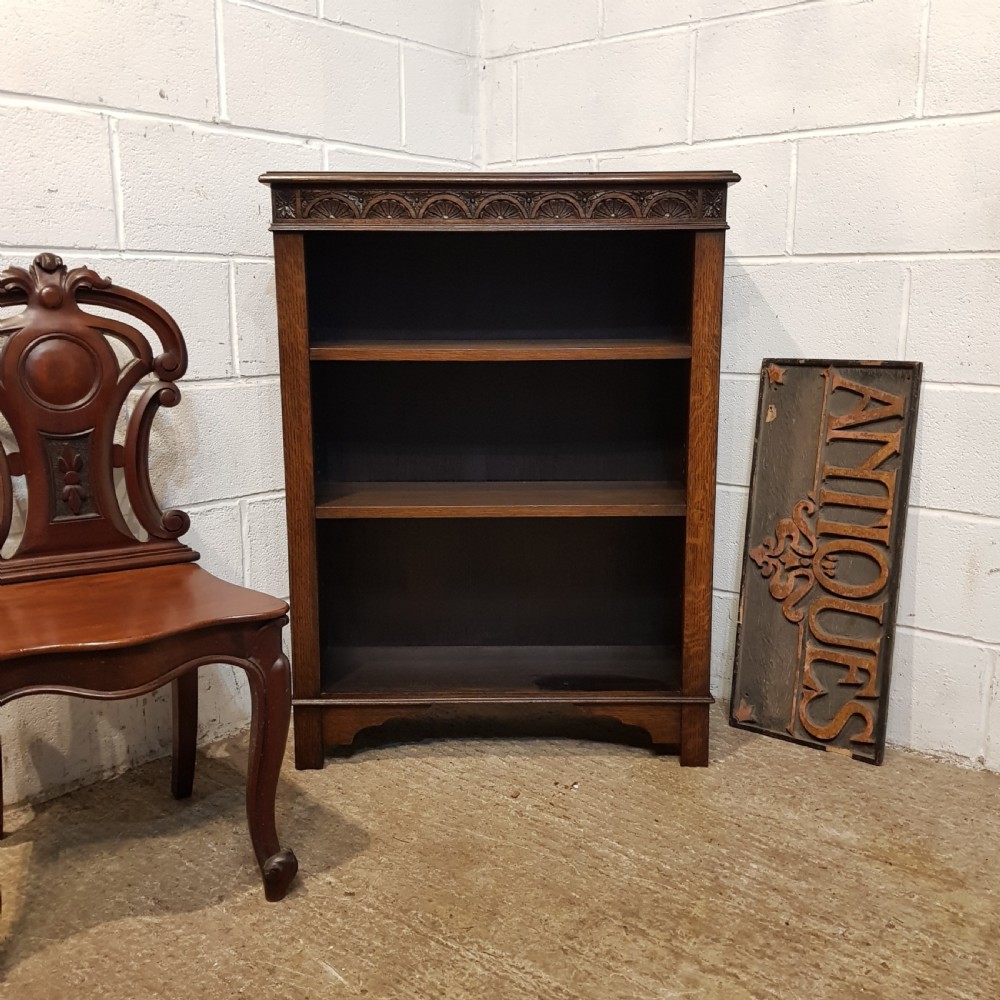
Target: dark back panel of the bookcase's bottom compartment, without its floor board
(502, 582)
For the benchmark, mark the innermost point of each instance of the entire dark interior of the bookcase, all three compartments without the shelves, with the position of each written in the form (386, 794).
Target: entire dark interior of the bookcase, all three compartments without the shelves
(514, 604)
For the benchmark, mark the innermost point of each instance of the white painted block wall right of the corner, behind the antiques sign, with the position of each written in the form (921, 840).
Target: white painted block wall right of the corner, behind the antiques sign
(867, 224)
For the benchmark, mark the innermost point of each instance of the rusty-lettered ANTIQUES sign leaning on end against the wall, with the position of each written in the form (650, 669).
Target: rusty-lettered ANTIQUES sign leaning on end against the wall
(825, 529)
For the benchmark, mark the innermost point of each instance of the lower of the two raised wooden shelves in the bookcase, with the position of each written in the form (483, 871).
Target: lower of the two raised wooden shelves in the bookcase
(500, 499)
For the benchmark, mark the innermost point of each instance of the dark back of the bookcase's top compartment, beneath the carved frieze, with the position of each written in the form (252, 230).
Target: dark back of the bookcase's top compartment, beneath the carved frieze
(589, 284)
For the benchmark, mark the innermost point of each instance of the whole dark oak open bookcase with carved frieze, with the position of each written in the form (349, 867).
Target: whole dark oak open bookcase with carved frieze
(500, 400)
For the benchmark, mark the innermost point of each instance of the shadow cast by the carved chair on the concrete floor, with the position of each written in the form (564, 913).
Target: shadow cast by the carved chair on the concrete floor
(126, 848)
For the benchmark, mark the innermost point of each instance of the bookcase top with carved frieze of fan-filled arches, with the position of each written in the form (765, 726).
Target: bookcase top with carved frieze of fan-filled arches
(310, 201)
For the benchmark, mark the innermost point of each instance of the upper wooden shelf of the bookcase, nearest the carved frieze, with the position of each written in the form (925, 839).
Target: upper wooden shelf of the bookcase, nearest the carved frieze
(500, 350)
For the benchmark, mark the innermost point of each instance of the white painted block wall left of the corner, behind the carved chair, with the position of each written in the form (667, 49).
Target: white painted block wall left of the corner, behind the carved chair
(134, 133)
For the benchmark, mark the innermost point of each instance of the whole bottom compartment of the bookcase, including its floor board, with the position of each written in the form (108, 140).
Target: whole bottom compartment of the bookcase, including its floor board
(502, 603)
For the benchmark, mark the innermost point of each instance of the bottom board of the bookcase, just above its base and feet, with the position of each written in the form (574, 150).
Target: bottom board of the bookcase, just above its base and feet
(484, 674)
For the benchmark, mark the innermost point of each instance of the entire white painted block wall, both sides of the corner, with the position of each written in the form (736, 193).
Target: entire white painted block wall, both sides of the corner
(867, 224)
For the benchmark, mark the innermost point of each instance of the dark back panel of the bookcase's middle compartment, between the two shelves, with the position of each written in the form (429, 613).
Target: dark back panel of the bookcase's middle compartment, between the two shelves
(474, 421)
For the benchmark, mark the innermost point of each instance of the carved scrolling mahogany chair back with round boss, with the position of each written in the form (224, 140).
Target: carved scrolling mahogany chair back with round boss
(62, 392)
